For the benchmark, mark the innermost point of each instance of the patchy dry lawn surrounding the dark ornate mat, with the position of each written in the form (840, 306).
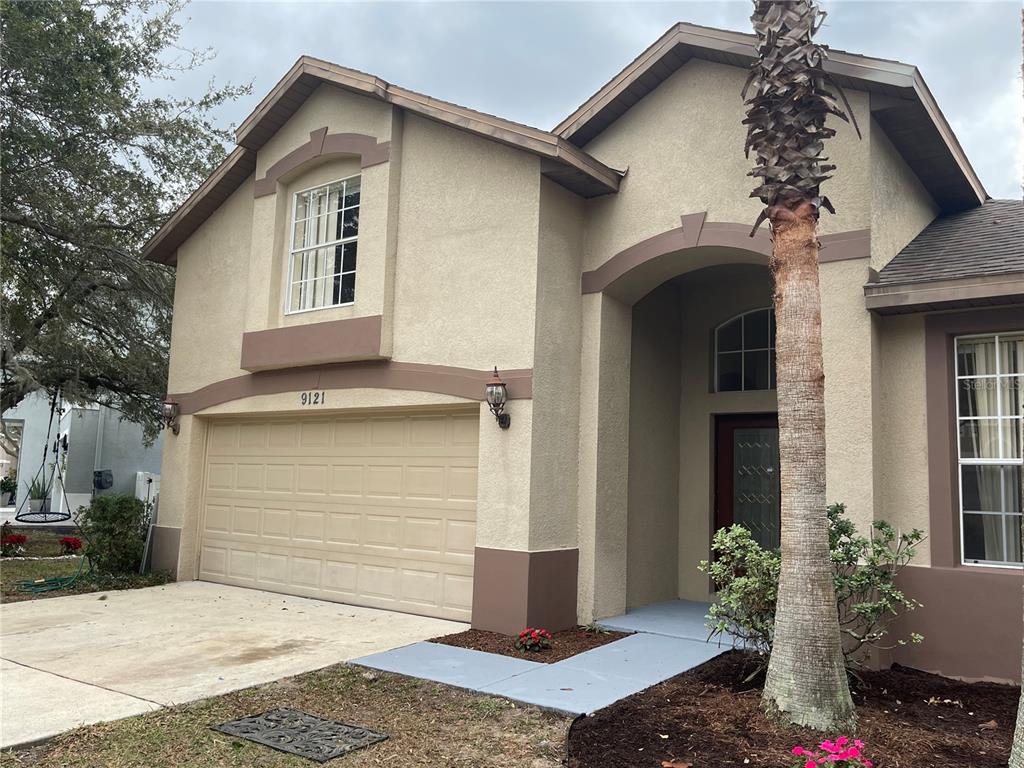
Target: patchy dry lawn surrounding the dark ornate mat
(429, 724)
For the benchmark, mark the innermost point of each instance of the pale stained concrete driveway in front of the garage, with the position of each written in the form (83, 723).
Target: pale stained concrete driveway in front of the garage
(86, 659)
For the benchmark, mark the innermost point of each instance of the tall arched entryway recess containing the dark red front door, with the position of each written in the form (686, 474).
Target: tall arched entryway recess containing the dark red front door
(702, 404)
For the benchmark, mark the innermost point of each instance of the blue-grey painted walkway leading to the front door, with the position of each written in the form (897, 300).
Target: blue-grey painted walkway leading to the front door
(582, 684)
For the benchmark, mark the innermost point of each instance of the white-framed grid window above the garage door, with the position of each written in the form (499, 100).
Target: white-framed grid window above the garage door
(325, 235)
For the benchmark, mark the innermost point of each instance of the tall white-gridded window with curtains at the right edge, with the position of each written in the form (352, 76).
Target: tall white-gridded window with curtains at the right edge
(990, 383)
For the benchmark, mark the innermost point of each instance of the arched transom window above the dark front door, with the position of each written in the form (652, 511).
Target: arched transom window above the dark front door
(745, 353)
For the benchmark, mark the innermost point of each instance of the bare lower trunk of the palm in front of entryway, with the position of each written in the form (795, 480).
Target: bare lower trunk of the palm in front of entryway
(806, 682)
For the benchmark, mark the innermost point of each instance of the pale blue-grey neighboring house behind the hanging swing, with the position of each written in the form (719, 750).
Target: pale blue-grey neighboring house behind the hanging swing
(98, 440)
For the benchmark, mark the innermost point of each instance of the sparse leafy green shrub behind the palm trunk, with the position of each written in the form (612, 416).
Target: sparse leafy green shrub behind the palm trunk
(865, 572)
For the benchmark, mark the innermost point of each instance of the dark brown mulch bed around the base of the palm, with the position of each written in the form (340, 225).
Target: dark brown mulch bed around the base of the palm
(705, 717)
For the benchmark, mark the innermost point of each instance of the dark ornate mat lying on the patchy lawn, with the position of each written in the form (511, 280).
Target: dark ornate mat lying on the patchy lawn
(303, 735)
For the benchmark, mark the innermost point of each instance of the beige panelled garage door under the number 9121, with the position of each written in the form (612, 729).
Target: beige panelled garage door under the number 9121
(377, 510)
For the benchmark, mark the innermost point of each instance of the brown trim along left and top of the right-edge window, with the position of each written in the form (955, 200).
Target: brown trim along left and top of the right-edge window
(941, 392)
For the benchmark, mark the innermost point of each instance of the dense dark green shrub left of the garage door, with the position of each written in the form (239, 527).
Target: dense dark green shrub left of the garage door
(115, 527)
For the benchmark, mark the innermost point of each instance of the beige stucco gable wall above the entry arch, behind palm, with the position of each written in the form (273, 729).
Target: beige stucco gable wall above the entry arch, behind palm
(684, 146)
